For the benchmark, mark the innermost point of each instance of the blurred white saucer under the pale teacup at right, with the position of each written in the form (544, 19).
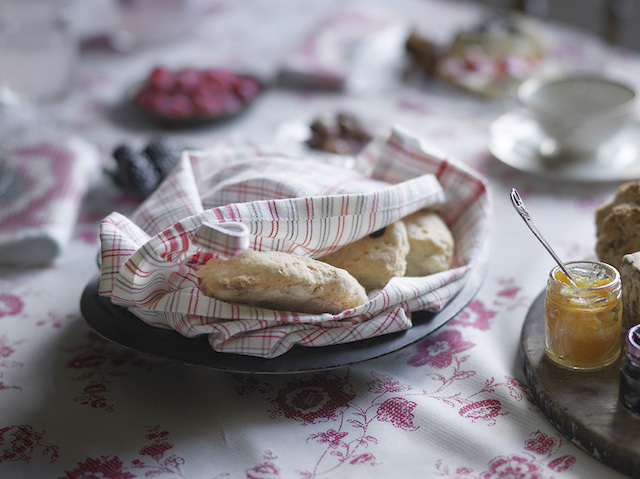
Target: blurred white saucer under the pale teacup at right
(515, 140)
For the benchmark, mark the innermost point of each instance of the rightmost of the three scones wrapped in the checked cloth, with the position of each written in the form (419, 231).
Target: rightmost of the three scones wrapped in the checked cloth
(431, 243)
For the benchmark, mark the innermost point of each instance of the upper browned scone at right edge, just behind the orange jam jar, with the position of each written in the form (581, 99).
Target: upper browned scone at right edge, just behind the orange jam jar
(619, 234)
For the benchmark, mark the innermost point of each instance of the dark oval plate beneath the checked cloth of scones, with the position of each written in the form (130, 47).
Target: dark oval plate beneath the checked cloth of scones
(120, 326)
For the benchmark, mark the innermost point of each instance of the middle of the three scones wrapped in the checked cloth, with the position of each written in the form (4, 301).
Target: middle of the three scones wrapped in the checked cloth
(376, 258)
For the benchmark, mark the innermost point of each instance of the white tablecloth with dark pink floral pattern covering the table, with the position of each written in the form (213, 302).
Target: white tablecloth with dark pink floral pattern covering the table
(454, 405)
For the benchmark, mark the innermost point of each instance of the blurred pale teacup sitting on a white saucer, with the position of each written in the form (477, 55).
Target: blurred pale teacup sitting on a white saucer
(577, 113)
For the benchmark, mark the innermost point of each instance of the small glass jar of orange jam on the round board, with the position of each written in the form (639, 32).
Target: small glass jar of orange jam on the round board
(583, 322)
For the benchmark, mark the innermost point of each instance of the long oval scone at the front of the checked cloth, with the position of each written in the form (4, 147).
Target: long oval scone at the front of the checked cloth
(271, 279)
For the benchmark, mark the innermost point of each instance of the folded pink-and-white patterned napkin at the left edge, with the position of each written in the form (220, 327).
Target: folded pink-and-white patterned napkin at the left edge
(42, 184)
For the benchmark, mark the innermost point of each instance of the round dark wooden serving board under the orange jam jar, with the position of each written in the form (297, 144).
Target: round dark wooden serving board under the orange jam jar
(582, 405)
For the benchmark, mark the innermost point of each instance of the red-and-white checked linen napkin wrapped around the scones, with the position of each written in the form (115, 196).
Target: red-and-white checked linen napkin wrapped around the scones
(221, 201)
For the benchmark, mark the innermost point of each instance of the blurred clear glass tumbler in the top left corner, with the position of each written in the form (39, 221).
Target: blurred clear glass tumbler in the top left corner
(38, 51)
